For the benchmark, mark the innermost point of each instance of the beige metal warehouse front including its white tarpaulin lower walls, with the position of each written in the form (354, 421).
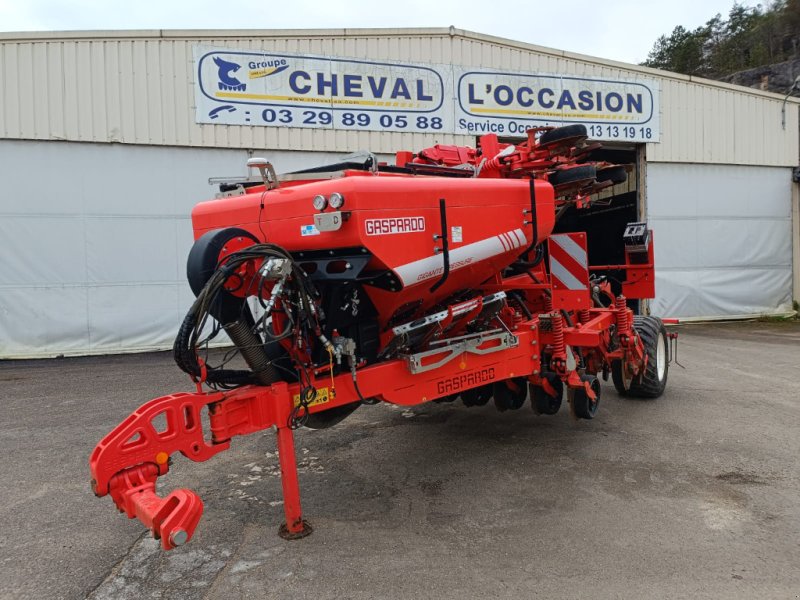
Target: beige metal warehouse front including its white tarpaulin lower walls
(135, 90)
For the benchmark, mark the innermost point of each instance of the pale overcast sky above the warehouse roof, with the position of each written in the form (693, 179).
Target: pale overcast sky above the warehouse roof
(621, 30)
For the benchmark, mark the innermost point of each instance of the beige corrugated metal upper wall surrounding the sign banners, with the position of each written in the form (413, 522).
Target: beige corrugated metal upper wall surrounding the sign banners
(137, 87)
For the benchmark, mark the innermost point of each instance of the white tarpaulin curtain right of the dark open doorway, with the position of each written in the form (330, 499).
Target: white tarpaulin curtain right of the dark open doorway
(723, 239)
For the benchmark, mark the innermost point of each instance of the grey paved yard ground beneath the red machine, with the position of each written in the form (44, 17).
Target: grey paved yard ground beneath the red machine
(694, 495)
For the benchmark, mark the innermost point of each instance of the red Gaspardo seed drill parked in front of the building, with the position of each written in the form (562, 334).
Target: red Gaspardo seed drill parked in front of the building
(436, 278)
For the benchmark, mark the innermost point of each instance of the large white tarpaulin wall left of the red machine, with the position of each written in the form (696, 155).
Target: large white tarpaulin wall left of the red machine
(95, 239)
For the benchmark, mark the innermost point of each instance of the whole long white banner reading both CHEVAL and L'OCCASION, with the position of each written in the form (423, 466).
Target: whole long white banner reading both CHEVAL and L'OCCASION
(238, 87)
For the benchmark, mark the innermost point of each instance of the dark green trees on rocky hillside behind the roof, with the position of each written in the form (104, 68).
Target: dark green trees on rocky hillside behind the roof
(750, 37)
